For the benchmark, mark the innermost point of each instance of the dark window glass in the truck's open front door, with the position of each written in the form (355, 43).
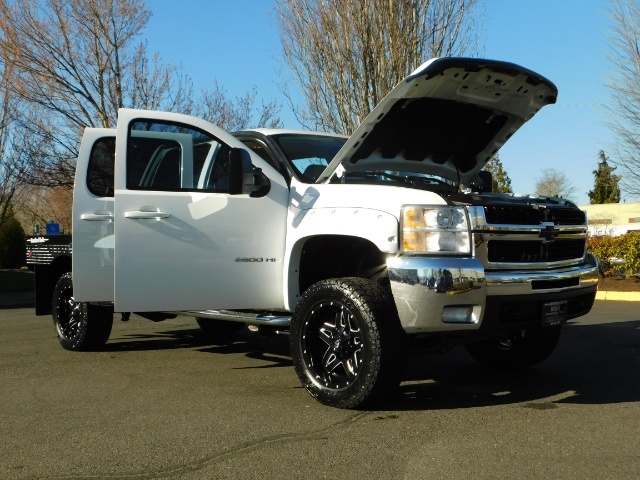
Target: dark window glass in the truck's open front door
(174, 157)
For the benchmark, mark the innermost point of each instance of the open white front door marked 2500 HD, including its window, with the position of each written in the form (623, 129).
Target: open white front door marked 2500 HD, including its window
(182, 242)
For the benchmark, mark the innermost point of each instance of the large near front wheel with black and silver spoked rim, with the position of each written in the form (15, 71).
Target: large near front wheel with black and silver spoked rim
(347, 342)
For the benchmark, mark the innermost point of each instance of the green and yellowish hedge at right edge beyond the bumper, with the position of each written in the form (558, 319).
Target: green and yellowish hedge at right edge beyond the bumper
(617, 255)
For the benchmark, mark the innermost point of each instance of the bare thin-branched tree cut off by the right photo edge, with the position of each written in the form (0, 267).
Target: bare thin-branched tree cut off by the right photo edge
(624, 84)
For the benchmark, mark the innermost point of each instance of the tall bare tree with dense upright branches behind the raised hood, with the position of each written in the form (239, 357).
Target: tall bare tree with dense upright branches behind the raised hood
(346, 55)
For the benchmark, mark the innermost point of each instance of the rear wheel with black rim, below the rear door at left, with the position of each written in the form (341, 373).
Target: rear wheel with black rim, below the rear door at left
(79, 326)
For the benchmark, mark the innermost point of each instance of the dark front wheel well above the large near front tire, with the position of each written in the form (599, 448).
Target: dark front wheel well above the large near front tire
(337, 256)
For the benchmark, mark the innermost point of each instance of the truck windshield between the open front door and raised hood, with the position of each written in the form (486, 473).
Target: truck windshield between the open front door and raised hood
(309, 154)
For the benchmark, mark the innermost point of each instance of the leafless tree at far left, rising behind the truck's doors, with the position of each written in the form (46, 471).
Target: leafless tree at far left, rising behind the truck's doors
(77, 61)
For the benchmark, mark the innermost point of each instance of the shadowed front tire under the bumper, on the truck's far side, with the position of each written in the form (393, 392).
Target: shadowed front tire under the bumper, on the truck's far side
(518, 350)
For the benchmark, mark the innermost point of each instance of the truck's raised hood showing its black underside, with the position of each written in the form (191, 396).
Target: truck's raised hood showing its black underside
(448, 118)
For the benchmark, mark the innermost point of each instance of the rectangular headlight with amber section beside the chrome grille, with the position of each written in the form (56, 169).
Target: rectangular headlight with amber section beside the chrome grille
(443, 230)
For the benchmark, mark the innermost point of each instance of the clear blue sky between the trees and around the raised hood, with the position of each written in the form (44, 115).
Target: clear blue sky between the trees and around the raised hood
(236, 42)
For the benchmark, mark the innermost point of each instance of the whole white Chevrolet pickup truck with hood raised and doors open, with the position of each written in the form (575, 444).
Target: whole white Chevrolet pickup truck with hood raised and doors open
(359, 248)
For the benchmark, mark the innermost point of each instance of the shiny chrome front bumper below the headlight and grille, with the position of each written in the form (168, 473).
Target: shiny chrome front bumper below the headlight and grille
(451, 294)
